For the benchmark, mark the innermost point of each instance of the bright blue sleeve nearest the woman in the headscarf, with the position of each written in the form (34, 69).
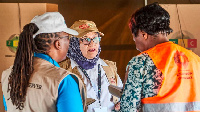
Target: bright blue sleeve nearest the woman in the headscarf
(69, 98)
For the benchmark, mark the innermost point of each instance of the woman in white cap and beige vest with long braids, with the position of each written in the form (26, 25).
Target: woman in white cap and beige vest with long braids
(36, 82)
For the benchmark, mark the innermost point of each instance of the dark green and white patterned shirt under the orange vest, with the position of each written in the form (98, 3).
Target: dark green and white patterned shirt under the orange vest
(144, 80)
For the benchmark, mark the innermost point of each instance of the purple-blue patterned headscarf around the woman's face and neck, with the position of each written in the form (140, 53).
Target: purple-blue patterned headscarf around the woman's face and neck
(75, 54)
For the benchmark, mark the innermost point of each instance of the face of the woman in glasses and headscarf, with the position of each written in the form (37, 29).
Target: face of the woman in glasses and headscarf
(91, 50)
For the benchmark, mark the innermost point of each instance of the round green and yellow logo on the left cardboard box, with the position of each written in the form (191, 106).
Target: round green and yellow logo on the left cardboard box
(12, 43)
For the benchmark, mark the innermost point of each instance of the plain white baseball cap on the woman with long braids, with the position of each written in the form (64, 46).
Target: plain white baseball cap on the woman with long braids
(51, 22)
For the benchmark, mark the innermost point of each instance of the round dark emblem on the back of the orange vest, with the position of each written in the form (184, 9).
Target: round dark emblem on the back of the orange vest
(181, 59)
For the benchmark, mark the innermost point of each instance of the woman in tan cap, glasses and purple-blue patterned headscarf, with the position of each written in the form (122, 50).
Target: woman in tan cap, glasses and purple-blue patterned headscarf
(96, 73)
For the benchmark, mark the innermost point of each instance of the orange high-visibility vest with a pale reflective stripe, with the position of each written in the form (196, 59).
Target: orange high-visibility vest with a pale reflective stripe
(180, 90)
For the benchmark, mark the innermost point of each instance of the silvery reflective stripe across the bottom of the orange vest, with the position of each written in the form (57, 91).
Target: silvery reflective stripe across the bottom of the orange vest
(172, 107)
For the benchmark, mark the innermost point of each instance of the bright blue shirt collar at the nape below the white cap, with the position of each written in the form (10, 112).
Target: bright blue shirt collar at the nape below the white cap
(47, 58)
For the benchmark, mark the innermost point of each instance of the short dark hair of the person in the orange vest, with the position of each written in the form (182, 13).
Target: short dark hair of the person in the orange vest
(151, 19)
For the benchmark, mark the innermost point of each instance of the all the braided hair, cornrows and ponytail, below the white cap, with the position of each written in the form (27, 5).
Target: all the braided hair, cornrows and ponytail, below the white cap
(22, 69)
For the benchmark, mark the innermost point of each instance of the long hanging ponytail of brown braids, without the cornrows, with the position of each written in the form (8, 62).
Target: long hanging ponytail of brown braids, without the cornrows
(23, 66)
